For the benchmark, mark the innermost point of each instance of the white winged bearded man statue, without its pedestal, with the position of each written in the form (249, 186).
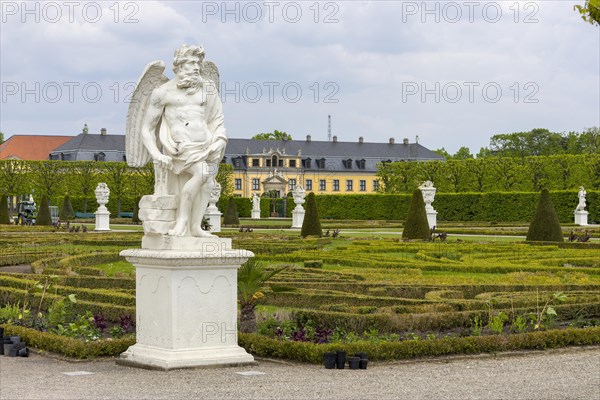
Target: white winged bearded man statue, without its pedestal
(178, 124)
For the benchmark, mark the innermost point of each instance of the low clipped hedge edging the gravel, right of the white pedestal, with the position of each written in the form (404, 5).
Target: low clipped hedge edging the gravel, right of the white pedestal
(409, 349)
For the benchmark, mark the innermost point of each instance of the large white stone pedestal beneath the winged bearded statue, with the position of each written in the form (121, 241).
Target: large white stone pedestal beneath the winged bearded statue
(186, 303)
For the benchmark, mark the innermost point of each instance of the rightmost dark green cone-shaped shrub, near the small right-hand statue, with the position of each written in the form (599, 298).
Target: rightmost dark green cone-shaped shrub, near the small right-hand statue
(545, 226)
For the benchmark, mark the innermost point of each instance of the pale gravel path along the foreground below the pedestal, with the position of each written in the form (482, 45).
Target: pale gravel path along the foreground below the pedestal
(572, 373)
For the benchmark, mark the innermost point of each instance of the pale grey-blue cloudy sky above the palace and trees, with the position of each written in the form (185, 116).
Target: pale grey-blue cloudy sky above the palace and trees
(451, 73)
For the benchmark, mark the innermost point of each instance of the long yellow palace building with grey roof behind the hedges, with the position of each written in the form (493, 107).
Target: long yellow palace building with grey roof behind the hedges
(323, 167)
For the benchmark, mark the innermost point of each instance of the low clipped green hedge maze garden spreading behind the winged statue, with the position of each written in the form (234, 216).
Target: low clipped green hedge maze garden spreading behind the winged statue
(391, 298)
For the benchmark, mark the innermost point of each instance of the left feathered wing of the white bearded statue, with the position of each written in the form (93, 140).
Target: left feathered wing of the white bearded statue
(151, 78)
